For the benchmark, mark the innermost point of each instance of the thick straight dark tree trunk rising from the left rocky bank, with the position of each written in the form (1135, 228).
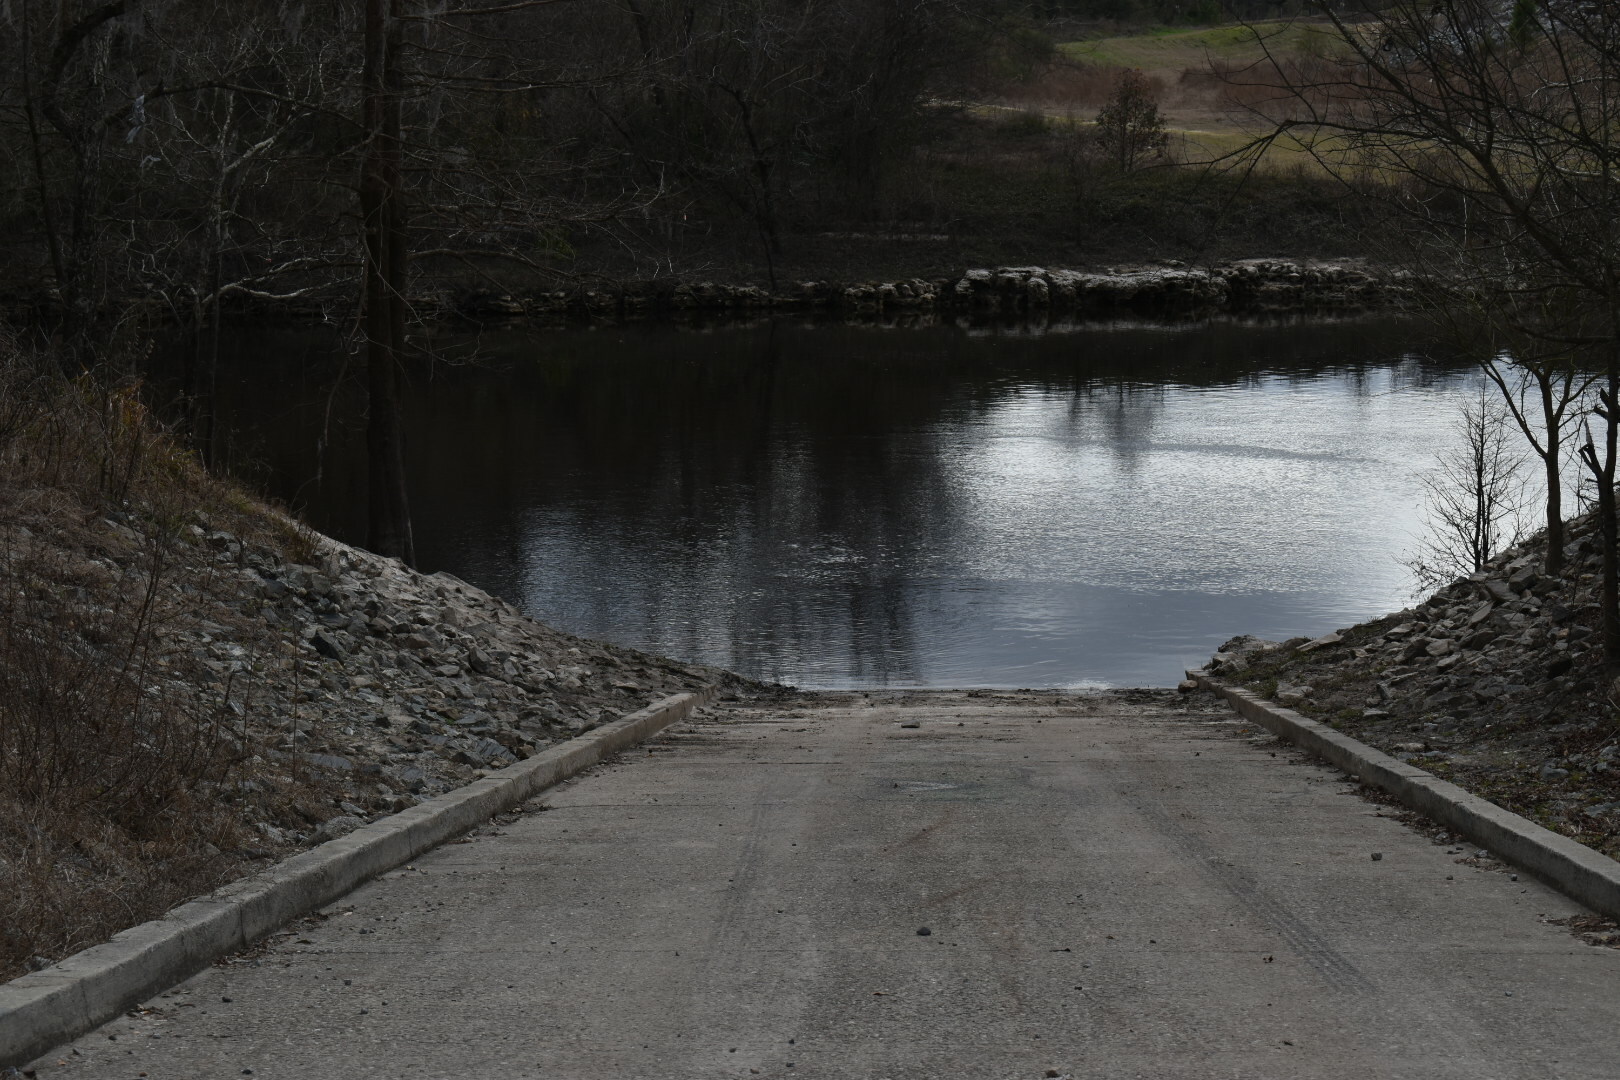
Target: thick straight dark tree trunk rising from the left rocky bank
(390, 532)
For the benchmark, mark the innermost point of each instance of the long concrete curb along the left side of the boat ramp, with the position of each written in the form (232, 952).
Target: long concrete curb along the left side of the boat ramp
(53, 1006)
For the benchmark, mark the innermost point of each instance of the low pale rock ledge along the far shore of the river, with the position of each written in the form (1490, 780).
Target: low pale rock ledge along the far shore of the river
(1247, 286)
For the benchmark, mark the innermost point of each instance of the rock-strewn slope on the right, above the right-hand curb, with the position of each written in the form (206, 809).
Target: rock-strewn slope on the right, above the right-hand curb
(1496, 682)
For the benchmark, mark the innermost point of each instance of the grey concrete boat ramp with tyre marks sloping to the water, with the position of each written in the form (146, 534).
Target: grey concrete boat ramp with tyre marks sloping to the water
(955, 885)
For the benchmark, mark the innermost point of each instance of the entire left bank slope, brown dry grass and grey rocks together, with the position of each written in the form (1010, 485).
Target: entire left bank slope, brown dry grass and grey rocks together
(195, 692)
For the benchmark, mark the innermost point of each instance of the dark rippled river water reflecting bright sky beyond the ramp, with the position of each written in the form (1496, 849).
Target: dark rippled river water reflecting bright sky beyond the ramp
(842, 506)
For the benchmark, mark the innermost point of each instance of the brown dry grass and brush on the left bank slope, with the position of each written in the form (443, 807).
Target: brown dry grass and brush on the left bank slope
(119, 752)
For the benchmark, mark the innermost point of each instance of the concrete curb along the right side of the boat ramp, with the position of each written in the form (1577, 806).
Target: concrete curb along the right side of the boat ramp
(1574, 869)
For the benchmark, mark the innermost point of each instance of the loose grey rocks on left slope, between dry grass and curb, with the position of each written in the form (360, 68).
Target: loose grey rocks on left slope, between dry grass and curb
(391, 686)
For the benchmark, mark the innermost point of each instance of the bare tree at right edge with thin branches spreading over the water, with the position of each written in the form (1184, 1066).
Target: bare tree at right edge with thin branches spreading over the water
(1488, 135)
